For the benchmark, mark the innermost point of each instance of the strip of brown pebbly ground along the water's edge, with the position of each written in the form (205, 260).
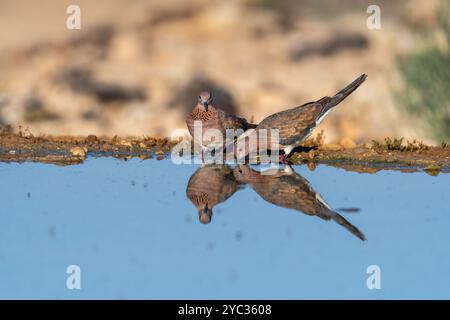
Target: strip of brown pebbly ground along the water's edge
(407, 157)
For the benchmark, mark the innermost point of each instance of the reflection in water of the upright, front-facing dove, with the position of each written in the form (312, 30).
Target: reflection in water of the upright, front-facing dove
(208, 186)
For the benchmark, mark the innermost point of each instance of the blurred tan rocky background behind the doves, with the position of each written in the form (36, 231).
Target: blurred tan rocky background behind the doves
(136, 67)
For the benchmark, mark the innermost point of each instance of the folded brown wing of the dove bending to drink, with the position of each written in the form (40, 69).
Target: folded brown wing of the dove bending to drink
(295, 124)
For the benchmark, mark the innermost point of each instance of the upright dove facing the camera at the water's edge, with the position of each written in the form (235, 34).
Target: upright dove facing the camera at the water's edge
(212, 117)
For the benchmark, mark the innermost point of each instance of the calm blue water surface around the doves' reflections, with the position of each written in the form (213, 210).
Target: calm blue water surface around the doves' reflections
(134, 234)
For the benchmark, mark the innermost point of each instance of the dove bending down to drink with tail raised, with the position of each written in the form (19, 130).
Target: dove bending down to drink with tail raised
(296, 125)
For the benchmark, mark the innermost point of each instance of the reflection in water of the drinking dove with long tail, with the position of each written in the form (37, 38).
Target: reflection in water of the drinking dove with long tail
(289, 189)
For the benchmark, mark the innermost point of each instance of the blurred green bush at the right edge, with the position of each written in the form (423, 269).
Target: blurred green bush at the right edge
(426, 77)
